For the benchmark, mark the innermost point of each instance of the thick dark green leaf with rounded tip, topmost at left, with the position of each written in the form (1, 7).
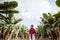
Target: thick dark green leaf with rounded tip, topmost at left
(8, 5)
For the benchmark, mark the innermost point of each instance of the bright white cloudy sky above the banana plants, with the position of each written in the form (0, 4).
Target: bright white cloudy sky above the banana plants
(31, 10)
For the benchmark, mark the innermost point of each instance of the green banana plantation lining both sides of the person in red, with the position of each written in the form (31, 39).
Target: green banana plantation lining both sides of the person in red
(49, 28)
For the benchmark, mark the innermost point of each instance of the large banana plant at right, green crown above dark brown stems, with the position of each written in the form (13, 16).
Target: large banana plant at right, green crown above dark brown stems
(51, 22)
